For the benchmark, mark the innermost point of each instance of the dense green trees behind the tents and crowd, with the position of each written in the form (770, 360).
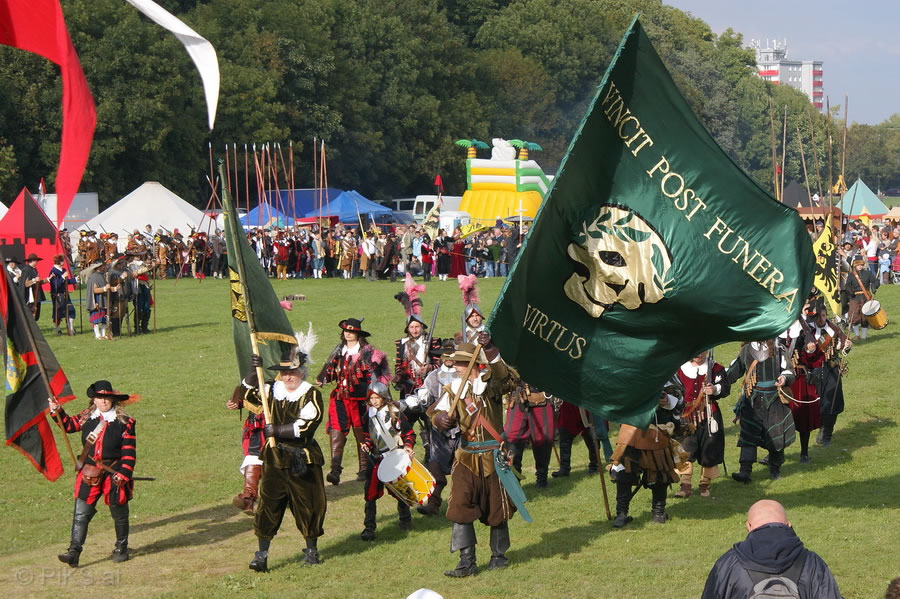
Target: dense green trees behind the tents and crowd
(389, 87)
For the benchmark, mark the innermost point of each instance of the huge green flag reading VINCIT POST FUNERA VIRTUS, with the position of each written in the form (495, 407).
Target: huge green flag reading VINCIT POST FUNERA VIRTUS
(651, 246)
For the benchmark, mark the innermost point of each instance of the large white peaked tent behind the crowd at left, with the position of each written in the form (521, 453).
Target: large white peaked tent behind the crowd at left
(150, 204)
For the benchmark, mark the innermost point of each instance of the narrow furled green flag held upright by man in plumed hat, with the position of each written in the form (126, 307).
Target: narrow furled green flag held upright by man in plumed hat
(273, 330)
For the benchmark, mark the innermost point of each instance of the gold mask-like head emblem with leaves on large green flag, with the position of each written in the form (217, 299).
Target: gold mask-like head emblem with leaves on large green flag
(619, 259)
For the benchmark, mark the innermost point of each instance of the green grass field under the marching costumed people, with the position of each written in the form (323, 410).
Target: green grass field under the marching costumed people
(188, 541)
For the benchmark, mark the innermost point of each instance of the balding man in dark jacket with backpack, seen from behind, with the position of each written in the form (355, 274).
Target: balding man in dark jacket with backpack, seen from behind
(771, 556)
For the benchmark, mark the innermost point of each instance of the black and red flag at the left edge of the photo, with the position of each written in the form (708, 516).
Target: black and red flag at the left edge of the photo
(26, 354)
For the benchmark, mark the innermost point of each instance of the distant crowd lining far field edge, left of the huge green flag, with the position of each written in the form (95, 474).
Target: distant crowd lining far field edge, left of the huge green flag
(311, 252)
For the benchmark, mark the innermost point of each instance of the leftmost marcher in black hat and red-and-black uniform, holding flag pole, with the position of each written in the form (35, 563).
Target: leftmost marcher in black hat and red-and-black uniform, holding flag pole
(108, 459)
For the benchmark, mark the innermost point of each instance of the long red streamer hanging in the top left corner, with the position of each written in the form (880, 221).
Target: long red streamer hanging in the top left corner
(38, 26)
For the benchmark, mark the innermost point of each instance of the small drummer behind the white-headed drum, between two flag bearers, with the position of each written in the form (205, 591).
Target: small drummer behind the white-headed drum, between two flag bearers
(388, 430)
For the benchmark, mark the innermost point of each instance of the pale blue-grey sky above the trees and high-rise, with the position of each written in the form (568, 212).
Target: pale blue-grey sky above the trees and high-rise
(858, 42)
